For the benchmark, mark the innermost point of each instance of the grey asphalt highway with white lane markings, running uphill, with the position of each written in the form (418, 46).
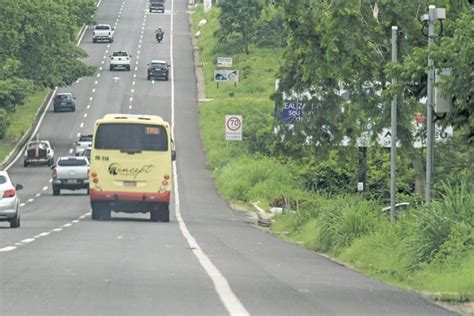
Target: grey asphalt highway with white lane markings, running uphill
(207, 260)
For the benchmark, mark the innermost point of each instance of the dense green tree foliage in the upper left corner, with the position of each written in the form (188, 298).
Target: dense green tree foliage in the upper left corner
(38, 47)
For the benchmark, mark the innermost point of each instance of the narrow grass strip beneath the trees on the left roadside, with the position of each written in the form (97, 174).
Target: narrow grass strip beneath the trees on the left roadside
(20, 121)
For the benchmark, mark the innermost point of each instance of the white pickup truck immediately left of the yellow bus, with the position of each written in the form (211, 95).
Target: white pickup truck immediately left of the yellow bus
(70, 173)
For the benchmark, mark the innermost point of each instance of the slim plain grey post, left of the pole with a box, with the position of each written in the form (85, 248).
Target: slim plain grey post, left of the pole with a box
(393, 147)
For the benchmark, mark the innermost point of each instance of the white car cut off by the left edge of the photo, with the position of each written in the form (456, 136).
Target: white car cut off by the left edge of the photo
(9, 200)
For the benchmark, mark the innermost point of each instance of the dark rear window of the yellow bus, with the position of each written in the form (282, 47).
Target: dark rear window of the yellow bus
(131, 137)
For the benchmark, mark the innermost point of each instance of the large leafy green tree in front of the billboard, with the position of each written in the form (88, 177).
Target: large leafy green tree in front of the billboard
(337, 47)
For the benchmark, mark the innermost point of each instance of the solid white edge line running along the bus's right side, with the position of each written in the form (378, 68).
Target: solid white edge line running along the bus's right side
(221, 285)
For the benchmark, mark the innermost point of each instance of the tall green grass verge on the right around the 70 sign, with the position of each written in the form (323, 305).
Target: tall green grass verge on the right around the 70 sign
(425, 249)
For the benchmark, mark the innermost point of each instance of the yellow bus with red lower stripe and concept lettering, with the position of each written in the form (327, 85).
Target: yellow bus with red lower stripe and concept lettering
(131, 166)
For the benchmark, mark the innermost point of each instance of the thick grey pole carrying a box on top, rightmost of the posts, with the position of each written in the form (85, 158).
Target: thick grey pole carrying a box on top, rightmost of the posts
(429, 108)
